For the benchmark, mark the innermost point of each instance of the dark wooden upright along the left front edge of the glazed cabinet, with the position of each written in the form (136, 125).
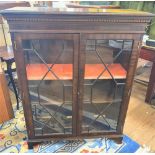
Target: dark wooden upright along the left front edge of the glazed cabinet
(21, 72)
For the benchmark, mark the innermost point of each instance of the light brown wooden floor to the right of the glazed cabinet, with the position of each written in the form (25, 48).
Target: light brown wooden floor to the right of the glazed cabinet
(140, 120)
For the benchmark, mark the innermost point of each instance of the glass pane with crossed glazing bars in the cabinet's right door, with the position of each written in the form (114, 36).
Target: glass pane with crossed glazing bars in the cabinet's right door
(106, 65)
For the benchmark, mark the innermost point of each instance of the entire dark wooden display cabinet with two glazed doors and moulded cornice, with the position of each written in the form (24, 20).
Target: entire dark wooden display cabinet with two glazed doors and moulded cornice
(75, 69)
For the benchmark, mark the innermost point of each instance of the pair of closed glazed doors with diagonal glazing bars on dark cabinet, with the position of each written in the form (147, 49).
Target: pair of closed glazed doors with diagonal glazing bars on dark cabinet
(74, 84)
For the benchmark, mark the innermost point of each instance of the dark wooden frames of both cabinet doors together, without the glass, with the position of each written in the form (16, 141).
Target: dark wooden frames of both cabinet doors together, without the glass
(79, 48)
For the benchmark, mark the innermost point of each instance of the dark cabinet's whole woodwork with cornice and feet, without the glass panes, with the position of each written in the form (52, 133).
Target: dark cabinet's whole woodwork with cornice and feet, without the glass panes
(77, 26)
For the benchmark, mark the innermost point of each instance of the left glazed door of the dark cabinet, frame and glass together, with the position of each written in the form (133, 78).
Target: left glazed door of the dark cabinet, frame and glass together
(50, 87)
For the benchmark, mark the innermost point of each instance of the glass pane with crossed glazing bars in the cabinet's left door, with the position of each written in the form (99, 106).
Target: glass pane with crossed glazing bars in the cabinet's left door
(49, 66)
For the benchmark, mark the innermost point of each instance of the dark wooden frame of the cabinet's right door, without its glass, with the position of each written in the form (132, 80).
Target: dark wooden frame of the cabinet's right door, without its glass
(129, 78)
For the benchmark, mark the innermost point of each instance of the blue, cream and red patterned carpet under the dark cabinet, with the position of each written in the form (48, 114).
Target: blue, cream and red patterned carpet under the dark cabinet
(13, 140)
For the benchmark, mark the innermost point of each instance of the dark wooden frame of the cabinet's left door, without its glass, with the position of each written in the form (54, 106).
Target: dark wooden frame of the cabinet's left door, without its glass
(23, 82)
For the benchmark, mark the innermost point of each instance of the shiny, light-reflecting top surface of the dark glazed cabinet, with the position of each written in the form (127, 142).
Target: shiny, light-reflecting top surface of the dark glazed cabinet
(73, 11)
